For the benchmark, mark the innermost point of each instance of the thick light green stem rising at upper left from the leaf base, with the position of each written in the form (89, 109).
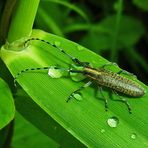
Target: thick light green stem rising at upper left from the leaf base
(23, 19)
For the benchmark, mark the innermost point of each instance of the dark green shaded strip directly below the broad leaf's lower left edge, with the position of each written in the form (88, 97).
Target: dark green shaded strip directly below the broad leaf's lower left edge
(39, 118)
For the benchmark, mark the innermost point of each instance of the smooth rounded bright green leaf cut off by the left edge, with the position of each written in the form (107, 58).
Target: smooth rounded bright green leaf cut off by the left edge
(7, 109)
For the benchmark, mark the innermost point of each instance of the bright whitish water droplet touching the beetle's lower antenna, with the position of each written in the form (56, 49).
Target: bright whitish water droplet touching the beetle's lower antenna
(54, 72)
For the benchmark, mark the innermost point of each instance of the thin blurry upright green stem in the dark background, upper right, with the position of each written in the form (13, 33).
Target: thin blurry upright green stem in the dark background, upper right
(113, 56)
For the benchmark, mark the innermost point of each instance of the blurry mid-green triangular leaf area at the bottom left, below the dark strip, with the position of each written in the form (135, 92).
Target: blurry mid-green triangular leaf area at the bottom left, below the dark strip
(26, 135)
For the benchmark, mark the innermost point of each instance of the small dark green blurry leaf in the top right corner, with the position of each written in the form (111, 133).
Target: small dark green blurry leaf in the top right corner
(143, 4)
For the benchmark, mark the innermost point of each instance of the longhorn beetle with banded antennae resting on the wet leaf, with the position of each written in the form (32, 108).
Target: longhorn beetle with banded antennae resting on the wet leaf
(100, 76)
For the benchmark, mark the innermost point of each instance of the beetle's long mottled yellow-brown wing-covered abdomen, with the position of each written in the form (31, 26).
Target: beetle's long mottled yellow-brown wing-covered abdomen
(116, 82)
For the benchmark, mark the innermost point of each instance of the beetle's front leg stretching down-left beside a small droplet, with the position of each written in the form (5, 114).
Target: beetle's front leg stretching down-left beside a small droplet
(78, 90)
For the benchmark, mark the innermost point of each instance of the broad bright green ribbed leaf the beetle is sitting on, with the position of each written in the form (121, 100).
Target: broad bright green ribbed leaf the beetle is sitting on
(87, 119)
